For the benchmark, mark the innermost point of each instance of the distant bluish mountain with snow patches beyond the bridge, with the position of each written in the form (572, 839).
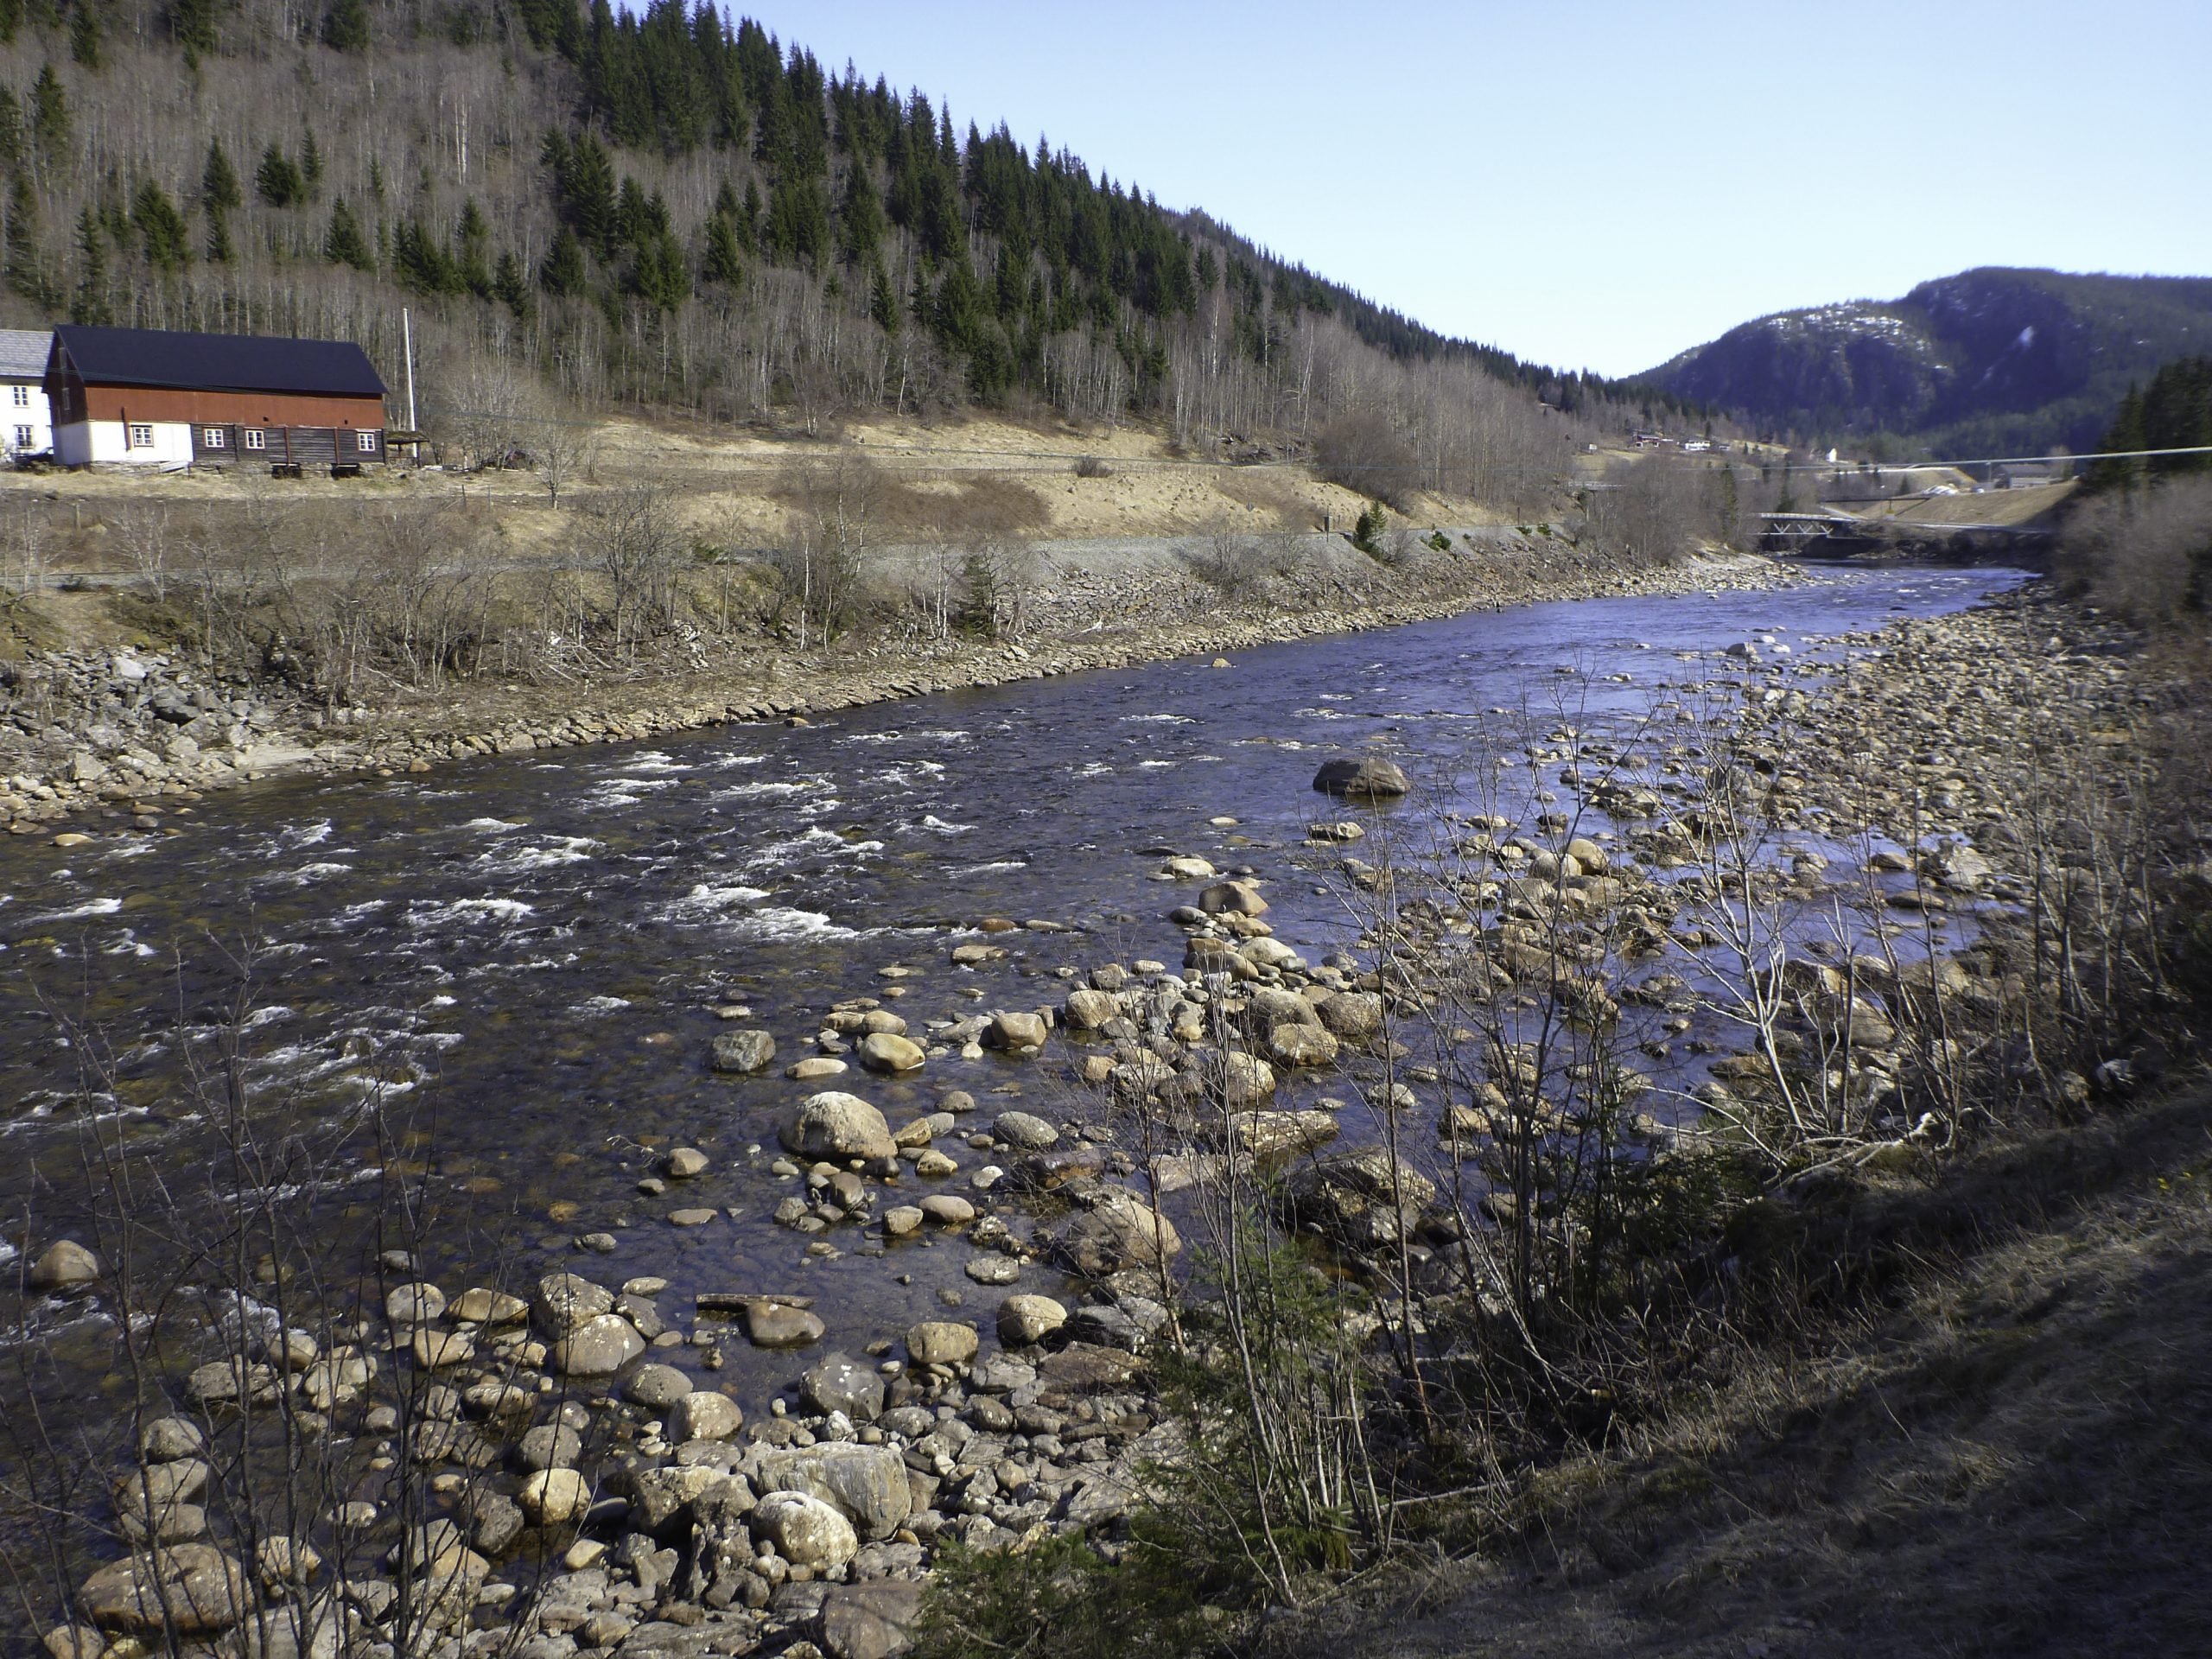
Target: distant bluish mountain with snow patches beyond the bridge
(1983, 364)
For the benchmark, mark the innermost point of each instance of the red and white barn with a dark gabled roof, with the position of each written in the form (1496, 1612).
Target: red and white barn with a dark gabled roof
(140, 397)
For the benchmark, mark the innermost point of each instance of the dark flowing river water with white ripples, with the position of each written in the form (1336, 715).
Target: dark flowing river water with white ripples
(523, 957)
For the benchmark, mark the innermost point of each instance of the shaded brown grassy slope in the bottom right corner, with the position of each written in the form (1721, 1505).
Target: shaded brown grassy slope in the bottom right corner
(2016, 1459)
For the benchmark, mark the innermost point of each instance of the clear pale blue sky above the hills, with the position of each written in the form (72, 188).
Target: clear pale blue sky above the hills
(1603, 185)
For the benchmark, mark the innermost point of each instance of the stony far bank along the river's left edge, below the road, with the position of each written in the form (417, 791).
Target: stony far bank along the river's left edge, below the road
(123, 729)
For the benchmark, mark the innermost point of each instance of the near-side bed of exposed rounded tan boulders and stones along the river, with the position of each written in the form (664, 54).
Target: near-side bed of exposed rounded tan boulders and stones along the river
(559, 1459)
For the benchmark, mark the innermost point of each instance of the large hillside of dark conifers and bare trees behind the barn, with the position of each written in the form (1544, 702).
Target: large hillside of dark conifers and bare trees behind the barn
(682, 216)
